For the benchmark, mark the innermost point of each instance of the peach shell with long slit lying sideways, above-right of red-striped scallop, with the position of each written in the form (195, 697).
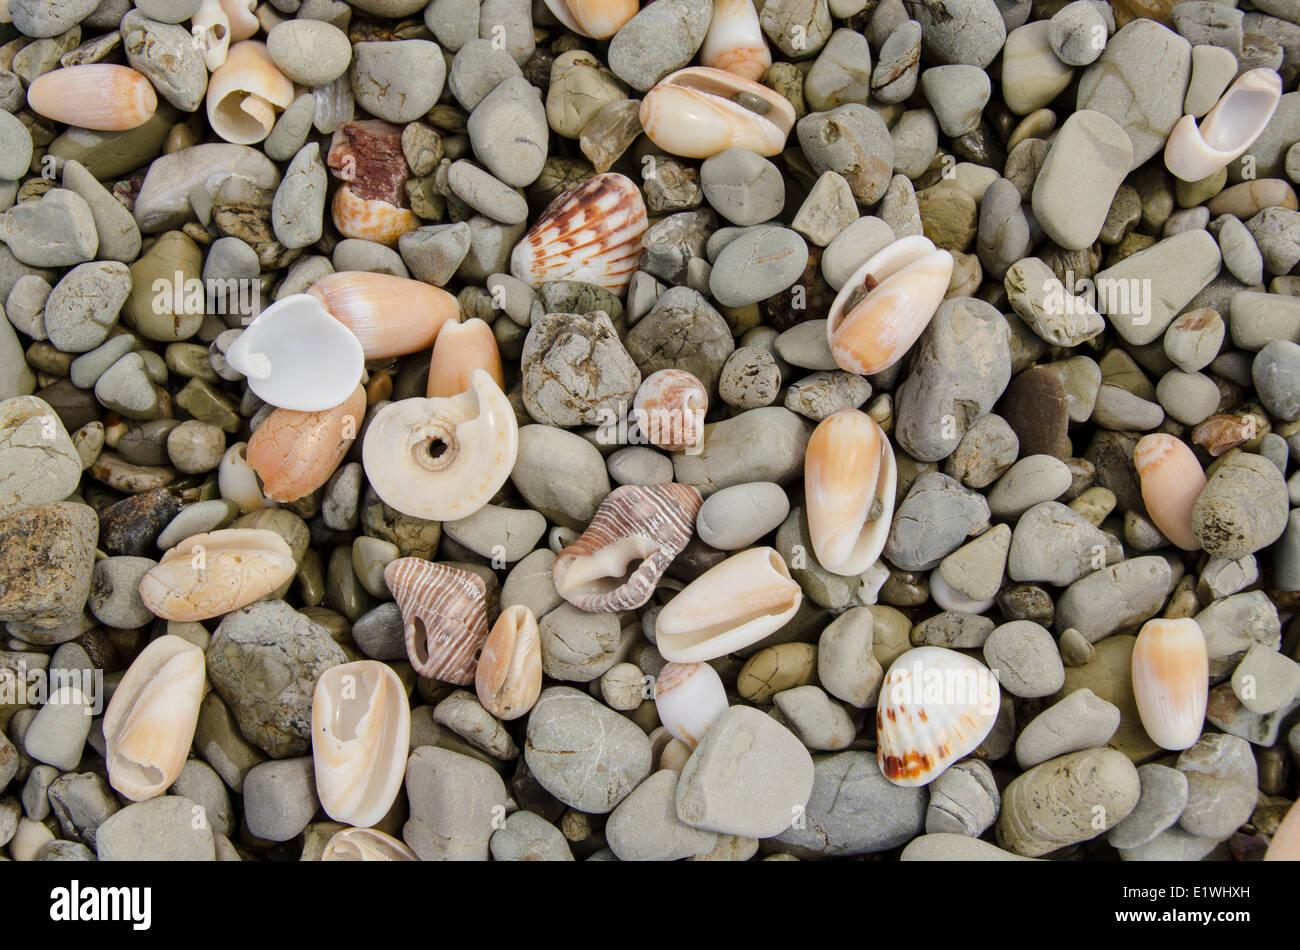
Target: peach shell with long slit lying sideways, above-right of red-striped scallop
(699, 112)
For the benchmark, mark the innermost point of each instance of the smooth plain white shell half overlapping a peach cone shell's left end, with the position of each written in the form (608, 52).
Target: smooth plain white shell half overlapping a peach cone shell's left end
(297, 357)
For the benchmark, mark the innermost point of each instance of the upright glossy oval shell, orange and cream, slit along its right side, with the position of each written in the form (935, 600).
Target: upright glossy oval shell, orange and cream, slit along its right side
(850, 485)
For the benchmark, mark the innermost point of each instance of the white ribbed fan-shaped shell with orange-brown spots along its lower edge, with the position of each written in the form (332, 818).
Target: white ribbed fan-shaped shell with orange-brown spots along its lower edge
(935, 708)
